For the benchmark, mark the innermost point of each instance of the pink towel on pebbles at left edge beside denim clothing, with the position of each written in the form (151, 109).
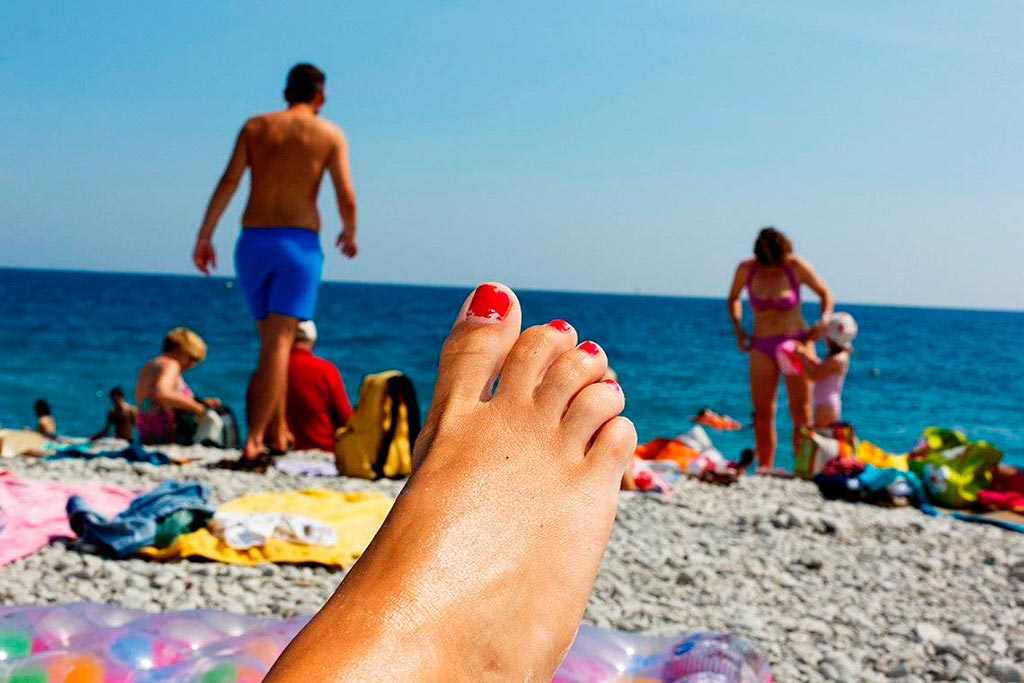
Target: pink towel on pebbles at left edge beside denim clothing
(32, 513)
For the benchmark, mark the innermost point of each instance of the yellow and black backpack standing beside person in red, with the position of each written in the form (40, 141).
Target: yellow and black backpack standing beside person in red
(378, 440)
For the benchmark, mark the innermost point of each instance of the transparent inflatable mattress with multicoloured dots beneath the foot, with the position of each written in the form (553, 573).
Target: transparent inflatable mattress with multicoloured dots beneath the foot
(94, 644)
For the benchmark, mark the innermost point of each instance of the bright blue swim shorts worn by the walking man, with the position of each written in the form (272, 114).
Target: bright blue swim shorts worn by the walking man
(279, 271)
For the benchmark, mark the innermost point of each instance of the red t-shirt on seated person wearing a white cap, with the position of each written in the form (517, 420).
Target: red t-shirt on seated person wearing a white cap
(317, 403)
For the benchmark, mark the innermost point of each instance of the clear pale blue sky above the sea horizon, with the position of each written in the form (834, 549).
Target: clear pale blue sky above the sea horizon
(574, 146)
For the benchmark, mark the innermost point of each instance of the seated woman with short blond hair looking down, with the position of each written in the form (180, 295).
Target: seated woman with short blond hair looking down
(161, 393)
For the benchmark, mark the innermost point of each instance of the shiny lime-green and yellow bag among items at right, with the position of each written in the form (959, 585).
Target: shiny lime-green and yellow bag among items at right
(953, 478)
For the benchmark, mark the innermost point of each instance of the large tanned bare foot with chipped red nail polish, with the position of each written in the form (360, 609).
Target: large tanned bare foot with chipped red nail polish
(485, 566)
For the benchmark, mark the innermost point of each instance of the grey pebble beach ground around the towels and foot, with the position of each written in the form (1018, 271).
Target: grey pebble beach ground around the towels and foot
(830, 591)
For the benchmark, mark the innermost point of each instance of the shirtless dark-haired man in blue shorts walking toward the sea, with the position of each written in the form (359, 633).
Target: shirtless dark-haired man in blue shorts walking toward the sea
(278, 259)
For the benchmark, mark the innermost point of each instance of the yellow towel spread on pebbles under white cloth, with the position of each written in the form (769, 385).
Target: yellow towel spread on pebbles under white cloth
(355, 517)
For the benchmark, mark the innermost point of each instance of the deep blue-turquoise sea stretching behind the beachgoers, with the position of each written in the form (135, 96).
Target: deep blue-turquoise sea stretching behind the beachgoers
(70, 336)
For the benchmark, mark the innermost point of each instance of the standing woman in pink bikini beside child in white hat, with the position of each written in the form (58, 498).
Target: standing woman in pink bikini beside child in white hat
(773, 280)
